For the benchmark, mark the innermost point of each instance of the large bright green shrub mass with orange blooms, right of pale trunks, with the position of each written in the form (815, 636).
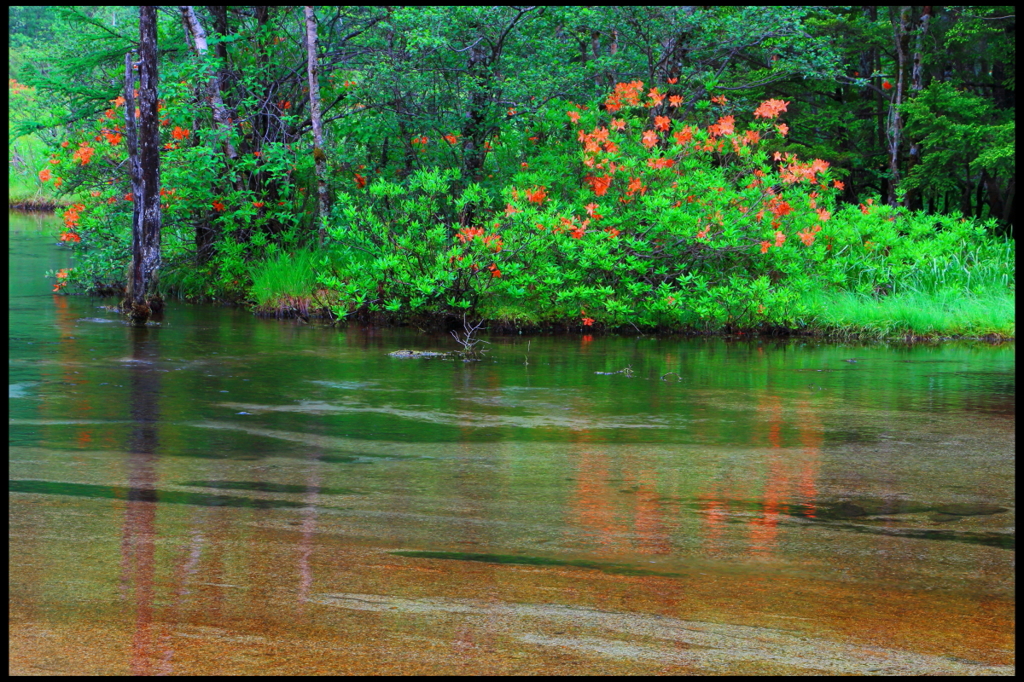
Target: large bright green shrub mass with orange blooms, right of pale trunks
(620, 221)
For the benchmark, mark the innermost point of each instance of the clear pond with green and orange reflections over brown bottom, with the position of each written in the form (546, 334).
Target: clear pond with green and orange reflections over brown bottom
(224, 494)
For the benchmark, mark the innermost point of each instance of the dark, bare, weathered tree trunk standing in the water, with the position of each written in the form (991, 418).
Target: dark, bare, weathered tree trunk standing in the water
(144, 145)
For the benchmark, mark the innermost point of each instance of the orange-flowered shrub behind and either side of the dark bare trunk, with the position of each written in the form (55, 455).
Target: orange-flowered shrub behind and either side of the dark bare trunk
(250, 204)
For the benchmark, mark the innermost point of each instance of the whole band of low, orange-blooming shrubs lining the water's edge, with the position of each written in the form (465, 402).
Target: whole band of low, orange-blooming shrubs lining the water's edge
(627, 217)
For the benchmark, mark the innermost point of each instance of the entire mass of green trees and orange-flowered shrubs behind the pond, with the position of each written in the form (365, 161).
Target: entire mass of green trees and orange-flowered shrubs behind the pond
(474, 164)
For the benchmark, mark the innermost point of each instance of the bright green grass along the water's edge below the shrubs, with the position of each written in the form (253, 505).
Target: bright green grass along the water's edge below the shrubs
(972, 297)
